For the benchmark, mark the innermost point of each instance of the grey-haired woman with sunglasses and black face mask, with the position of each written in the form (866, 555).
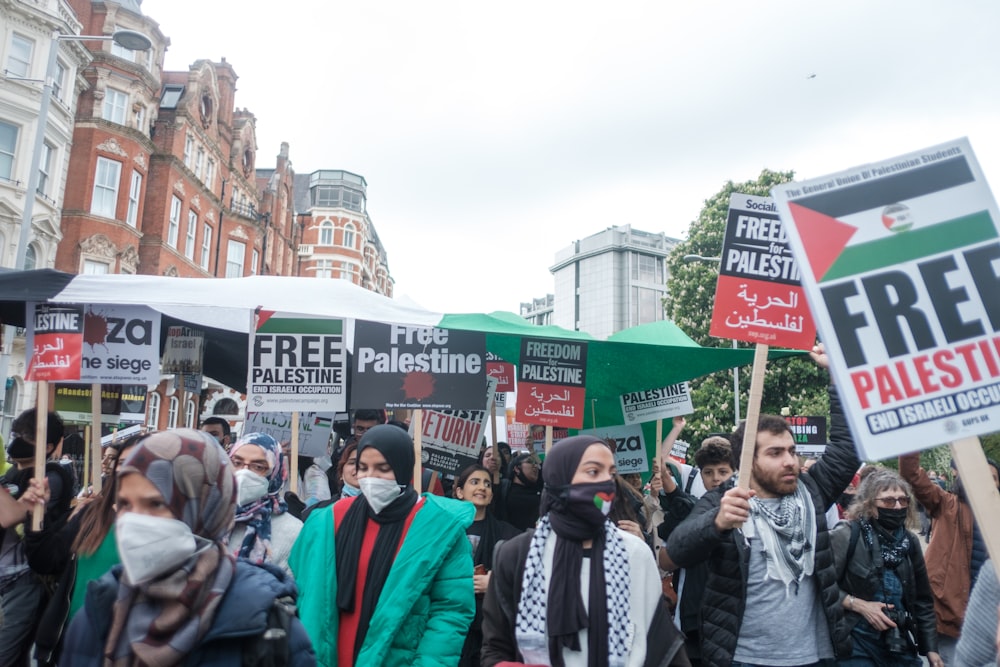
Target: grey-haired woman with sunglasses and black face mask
(883, 578)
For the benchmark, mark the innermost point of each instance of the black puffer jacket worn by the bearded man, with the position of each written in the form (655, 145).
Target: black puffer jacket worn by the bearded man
(727, 555)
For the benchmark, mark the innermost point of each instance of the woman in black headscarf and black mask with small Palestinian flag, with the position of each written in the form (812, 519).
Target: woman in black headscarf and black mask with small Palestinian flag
(576, 591)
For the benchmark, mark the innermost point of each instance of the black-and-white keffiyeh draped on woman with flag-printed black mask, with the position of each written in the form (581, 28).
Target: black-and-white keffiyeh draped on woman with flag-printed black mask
(532, 609)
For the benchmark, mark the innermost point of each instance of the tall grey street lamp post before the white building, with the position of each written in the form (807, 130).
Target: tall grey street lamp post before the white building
(129, 39)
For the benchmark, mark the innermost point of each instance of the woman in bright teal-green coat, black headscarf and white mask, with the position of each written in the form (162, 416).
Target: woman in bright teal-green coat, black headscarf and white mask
(399, 591)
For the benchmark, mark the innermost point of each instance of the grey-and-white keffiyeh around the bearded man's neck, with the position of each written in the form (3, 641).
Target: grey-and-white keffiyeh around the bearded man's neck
(787, 536)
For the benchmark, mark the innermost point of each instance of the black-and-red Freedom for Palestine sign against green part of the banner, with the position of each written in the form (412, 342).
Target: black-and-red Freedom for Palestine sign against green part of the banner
(551, 383)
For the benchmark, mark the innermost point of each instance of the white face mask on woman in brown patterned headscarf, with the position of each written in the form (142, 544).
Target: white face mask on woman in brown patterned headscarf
(150, 545)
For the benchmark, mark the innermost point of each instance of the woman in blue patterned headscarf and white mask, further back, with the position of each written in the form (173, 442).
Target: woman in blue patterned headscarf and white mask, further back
(264, 530)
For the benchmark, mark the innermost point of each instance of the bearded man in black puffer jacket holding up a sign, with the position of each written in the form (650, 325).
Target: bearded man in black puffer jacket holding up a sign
(771, 597)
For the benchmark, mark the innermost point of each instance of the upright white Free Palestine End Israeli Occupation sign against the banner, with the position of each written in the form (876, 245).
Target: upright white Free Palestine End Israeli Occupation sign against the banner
(297, 364)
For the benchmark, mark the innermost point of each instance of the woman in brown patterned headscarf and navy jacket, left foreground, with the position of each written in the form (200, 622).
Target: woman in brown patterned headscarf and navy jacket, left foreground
(178, 597)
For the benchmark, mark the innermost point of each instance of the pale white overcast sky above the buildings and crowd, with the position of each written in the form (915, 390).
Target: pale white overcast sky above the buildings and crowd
(492, 135)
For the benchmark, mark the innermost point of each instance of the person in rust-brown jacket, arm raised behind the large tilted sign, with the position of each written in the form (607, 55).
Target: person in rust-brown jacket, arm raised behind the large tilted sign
(956, 550)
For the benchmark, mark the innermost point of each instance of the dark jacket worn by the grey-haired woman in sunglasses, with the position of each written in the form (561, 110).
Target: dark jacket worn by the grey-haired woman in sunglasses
(862, 578)
